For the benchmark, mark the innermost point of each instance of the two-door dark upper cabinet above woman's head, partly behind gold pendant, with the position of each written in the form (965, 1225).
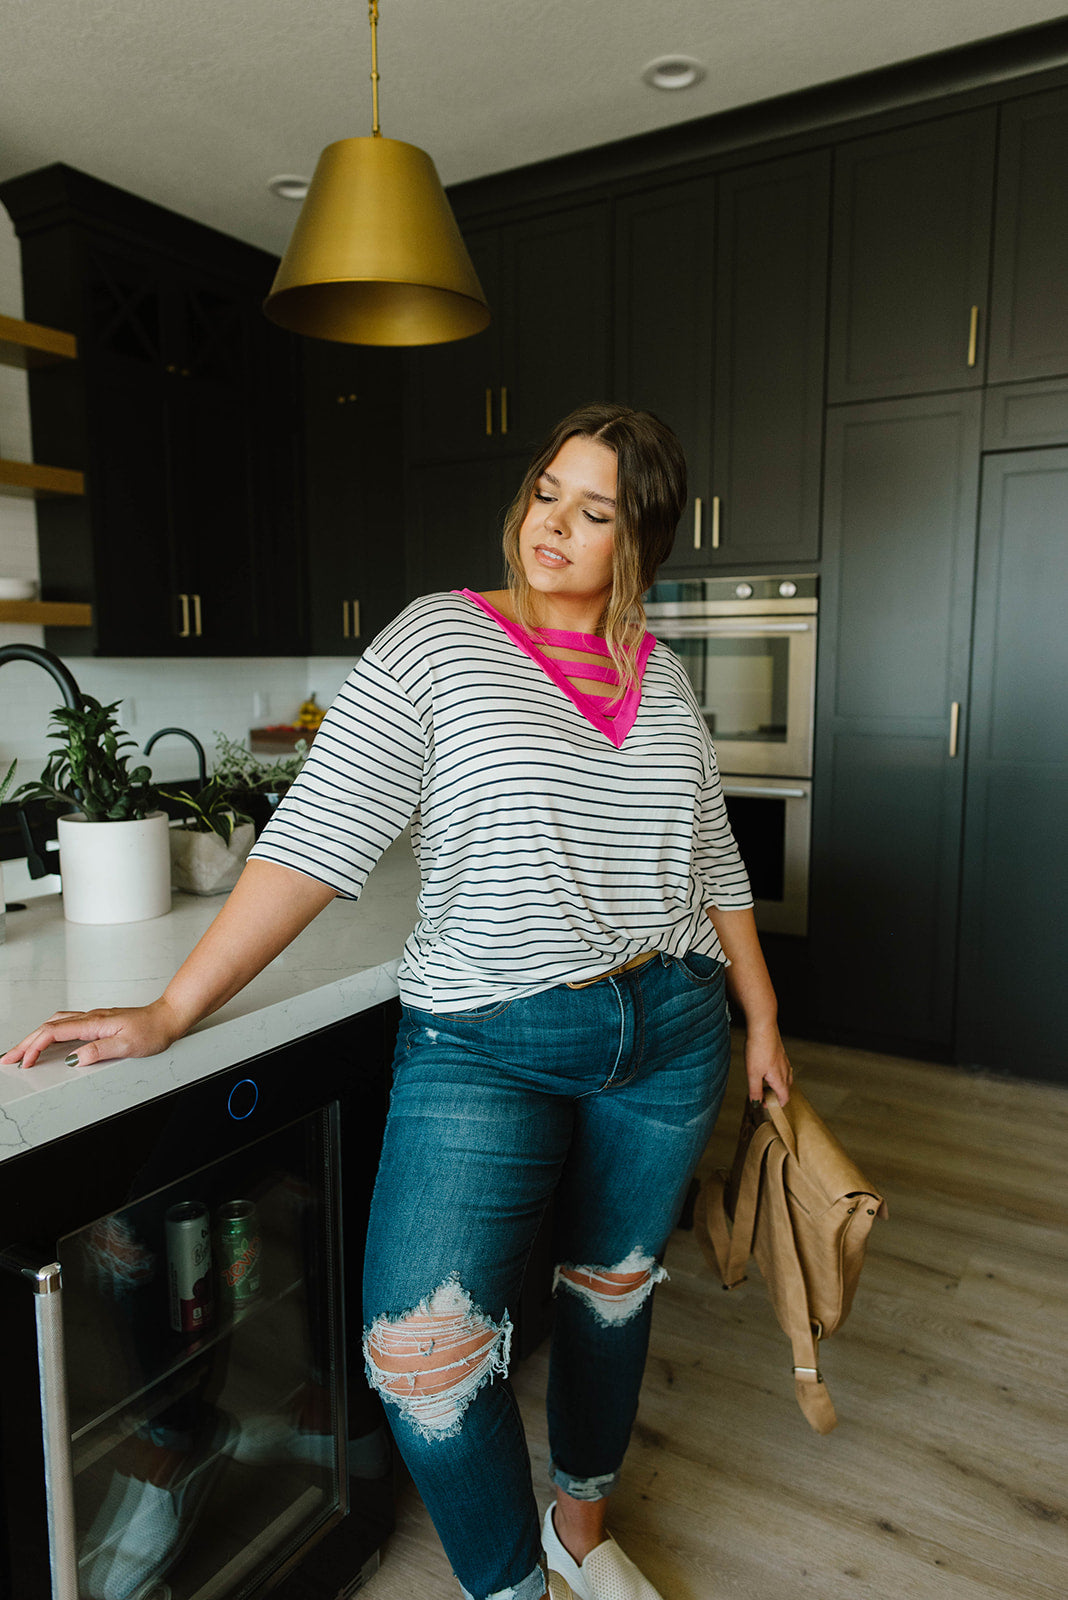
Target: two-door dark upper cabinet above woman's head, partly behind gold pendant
(544, 353)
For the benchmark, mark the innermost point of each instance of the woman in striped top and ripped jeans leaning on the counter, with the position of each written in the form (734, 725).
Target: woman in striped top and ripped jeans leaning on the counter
(565, 1023)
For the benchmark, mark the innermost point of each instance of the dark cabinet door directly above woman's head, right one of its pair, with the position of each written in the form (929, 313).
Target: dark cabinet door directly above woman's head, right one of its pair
(557, 335)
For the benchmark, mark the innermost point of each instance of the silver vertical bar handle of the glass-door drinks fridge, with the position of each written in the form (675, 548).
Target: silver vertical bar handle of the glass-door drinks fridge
(52, 1369)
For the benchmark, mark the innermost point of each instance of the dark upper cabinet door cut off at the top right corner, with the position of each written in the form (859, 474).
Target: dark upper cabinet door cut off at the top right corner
(1029, 330)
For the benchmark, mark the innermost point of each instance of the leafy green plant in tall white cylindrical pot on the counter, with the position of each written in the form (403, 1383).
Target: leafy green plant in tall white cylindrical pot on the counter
(114, 852)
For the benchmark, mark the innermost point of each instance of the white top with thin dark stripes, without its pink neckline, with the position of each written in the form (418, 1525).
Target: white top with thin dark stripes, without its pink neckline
(548, 849)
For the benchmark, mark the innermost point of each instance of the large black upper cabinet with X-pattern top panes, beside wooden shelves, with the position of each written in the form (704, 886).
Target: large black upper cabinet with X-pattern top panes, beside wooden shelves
(181, 412)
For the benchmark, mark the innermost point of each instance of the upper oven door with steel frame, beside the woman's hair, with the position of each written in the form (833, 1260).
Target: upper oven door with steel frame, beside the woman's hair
(755, 684)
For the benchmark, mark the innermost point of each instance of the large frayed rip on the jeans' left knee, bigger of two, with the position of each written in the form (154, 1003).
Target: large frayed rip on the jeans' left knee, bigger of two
(434, 1361)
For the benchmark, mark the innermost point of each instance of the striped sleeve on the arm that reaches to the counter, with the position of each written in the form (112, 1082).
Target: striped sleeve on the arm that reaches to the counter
(359, 788)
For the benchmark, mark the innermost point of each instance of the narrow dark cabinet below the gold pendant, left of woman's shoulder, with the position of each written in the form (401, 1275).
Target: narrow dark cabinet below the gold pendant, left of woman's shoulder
(354, 494)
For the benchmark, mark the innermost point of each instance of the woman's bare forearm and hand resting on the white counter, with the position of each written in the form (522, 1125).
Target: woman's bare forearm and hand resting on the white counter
(266, 911)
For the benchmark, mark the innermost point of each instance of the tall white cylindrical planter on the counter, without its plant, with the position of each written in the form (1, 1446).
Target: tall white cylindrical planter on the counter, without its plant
(116, 871)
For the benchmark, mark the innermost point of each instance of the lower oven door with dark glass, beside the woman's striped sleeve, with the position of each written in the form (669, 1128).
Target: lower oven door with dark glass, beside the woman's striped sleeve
(771, 823)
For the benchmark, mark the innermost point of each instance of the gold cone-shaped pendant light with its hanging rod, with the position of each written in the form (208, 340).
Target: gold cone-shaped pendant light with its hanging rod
(377, 257)
